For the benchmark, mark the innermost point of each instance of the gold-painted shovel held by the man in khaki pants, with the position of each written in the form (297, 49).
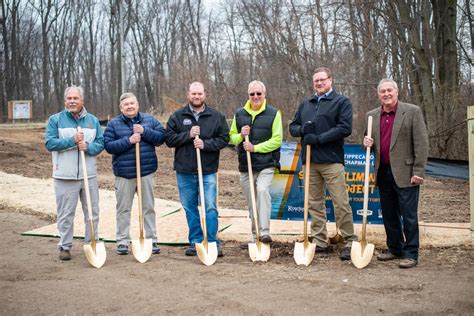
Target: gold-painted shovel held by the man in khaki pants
(304, 251)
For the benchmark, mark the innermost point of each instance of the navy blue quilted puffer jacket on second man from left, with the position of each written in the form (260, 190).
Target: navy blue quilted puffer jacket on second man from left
(116, 137)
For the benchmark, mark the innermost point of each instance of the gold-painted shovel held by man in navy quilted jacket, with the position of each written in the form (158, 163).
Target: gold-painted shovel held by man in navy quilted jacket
(141, 247)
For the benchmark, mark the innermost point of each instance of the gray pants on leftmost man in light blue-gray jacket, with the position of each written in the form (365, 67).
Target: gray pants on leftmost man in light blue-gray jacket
(67, 193)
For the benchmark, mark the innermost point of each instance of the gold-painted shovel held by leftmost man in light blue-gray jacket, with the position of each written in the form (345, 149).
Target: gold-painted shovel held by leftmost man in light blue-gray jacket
(95, 251)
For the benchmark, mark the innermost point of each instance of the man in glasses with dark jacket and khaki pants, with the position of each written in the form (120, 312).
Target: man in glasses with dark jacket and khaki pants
(323, 121)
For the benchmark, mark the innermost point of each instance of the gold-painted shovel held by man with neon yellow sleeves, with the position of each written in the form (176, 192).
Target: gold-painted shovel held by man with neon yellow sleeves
(258, 251)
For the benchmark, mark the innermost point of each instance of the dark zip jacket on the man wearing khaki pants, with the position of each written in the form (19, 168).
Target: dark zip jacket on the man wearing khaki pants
(332, 116)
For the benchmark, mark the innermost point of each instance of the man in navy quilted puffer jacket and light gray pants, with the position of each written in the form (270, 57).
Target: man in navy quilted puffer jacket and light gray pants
(121, 135)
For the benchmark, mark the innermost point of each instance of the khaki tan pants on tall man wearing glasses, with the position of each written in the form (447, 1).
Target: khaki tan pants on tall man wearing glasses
(331, 175)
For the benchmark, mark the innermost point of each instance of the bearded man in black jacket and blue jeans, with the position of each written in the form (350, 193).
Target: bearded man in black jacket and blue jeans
(197, 119)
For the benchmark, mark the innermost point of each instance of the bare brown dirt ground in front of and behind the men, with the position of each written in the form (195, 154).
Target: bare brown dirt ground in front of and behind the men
(34, 281)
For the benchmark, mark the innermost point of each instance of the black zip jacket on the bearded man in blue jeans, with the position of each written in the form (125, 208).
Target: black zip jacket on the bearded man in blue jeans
(214, 133)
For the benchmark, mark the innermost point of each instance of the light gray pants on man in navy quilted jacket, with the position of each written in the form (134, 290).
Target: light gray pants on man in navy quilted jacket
(124, 192)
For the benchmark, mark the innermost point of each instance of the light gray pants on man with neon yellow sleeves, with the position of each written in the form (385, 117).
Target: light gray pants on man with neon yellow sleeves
(263, 179)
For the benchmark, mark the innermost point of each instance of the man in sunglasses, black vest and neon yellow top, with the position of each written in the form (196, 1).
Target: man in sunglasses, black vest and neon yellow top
(262, 123)
